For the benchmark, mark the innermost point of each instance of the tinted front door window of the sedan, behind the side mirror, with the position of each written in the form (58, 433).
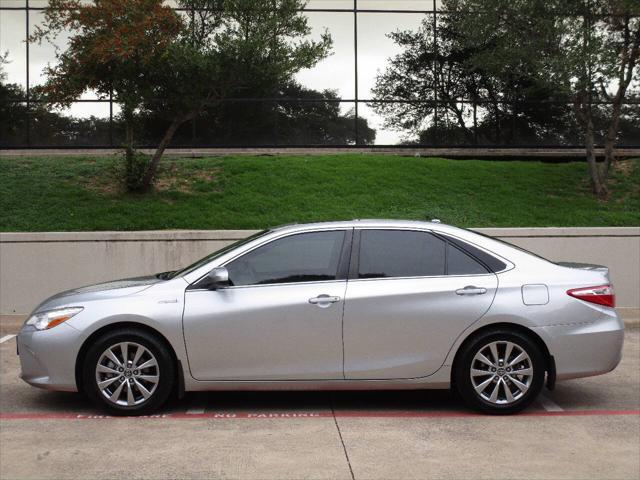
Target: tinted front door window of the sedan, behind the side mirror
(304, 257)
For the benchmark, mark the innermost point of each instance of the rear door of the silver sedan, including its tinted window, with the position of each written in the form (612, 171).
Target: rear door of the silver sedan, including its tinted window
(409, 296)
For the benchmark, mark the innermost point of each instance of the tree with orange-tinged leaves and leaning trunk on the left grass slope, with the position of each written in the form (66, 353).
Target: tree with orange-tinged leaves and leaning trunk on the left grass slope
(152, 60)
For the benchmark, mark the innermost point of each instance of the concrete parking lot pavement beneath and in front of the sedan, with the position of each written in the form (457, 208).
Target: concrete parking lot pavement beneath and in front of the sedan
(587, 428)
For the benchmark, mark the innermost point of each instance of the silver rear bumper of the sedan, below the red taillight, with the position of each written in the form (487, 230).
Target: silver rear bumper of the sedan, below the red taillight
(585, 349)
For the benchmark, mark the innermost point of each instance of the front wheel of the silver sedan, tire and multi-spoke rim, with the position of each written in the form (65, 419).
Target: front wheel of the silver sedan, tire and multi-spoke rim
(129, 372)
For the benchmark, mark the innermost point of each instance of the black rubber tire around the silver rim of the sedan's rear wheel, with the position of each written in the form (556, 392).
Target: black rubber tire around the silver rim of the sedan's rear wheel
(479, 343)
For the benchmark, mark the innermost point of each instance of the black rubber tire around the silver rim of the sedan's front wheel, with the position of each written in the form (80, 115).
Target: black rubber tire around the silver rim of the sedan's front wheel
(166, 372)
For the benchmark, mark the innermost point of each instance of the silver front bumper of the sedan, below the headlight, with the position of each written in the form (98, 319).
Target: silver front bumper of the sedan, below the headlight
(47, 357)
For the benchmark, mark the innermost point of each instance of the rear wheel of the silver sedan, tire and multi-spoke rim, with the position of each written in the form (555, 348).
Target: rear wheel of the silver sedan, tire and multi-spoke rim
(500, 372)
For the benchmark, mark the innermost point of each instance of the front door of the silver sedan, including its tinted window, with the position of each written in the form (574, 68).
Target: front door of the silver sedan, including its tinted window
(281, 319)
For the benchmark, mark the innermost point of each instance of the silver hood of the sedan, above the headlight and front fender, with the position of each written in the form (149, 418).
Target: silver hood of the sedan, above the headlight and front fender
(113, 289)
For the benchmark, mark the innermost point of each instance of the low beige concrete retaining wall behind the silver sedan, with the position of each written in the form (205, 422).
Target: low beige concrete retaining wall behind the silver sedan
(36, 265)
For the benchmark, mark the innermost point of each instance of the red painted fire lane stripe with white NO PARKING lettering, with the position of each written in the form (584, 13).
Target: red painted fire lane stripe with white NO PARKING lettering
(291, 415)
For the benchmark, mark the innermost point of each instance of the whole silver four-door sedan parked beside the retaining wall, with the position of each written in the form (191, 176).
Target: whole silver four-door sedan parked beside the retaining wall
(342, 305)
